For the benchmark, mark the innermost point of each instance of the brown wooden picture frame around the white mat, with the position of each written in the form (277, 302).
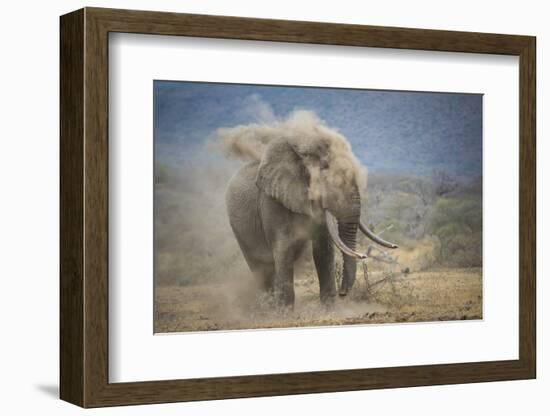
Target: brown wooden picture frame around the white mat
(84, 207)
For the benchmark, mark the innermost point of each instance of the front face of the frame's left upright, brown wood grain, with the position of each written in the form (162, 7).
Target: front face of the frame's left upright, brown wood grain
(96, 220)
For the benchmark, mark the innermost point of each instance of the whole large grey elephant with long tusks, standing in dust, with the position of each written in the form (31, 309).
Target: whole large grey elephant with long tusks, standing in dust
(302, 188)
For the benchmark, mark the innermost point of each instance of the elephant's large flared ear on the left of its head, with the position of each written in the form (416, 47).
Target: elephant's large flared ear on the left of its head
(283, 176)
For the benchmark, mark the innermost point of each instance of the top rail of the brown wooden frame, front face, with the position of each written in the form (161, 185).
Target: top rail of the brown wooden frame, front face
(162, 23)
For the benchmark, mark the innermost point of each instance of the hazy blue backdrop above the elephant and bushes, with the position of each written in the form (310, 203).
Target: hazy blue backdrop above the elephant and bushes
(392, 132)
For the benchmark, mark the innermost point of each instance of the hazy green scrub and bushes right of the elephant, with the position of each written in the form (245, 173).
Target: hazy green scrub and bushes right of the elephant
(418, 212)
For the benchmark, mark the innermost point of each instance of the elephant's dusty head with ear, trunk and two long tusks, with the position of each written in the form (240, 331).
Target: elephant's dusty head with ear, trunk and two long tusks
(314, 172)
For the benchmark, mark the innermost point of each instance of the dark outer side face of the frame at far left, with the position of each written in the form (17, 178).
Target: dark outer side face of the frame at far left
(71, 208)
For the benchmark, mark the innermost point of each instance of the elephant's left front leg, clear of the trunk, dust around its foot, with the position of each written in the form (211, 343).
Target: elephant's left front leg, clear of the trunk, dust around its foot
(283, 289)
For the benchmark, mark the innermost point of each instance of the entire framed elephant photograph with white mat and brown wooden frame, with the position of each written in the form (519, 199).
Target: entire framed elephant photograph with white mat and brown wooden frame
(255, 207)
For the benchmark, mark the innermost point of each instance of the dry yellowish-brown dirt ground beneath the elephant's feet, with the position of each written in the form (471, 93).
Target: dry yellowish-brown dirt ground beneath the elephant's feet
(434, 295)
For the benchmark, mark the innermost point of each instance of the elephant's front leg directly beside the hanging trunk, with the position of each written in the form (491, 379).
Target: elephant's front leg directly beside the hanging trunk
(323, 257)
